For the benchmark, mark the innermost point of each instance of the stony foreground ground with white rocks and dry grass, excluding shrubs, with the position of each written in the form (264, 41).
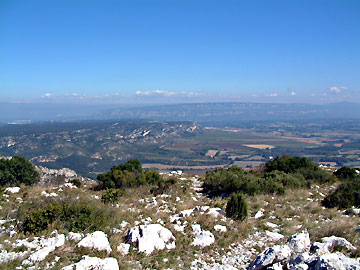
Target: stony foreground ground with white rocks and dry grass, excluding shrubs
(181, 229)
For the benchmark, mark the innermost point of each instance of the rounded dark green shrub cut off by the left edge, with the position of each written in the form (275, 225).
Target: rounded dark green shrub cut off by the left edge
(17, 170)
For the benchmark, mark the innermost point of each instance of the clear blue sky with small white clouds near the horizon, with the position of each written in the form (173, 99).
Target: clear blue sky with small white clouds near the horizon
(155, 51)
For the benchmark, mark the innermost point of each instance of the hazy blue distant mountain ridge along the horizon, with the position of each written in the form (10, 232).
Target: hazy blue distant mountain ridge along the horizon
(221, 111)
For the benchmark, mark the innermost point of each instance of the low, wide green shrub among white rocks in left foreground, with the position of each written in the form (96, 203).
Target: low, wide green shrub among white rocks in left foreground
(72, 217)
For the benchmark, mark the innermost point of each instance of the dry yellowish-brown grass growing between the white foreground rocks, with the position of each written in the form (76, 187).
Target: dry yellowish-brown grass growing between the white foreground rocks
(293, 212)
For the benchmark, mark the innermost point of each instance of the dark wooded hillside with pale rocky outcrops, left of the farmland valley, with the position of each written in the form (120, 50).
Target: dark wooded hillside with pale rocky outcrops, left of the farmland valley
(92, 146)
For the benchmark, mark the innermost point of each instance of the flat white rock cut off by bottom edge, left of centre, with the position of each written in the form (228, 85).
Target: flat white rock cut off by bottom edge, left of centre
(94, 263)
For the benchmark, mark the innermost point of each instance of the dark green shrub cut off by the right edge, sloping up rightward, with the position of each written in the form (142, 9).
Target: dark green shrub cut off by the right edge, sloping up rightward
(345, 196)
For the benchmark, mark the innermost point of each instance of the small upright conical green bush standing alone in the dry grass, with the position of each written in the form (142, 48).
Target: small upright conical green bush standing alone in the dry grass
(237, 207)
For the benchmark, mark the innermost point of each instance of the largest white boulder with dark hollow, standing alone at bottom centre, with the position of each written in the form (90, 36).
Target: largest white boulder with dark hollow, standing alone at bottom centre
(150, 237)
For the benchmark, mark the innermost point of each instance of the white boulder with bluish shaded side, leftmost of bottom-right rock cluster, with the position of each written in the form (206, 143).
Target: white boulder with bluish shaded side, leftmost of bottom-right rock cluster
(270, 256)
